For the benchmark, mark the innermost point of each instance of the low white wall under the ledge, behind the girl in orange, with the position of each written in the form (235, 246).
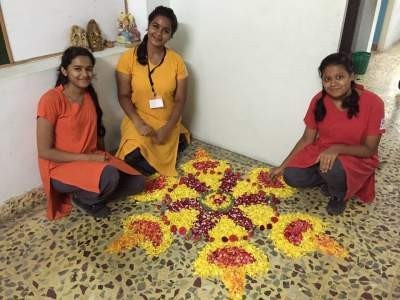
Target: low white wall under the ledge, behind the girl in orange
(20, 88)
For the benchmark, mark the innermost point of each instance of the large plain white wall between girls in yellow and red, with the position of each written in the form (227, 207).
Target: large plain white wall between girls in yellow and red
(253, 69)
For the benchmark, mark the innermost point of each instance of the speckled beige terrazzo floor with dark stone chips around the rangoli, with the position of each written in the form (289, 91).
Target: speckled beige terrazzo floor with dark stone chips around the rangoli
(67, 259)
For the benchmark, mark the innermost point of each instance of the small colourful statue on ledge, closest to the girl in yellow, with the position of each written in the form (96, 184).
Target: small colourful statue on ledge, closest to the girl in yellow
(127, 30)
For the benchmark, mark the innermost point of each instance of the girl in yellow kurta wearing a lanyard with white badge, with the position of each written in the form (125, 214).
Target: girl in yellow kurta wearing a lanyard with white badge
(152, 91)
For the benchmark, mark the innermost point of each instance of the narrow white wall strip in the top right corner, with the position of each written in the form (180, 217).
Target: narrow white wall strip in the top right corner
(391, 26)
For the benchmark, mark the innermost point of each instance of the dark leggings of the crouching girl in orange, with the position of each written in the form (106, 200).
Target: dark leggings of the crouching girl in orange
(113, 184)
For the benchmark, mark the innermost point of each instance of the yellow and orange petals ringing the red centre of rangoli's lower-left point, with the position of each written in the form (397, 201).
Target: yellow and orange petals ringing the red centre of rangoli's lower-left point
(131, 239)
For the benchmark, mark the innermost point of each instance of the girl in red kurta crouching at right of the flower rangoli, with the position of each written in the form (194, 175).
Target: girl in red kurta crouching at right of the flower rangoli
(339, 147)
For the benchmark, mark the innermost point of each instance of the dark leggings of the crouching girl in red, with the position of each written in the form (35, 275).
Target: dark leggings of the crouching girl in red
(335, 178)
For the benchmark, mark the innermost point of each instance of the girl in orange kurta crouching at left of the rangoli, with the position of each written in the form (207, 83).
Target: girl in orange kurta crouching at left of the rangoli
(69, 129)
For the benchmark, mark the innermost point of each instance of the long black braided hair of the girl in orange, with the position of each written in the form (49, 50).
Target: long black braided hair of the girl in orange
(66, 59)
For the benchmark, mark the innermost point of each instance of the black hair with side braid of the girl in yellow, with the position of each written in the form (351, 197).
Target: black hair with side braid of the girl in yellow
(158, 11)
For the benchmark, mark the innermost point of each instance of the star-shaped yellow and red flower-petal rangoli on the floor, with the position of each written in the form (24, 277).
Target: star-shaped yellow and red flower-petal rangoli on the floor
(224, 209)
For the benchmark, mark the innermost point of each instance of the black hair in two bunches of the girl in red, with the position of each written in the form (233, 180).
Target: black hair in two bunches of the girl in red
(350, 102)
